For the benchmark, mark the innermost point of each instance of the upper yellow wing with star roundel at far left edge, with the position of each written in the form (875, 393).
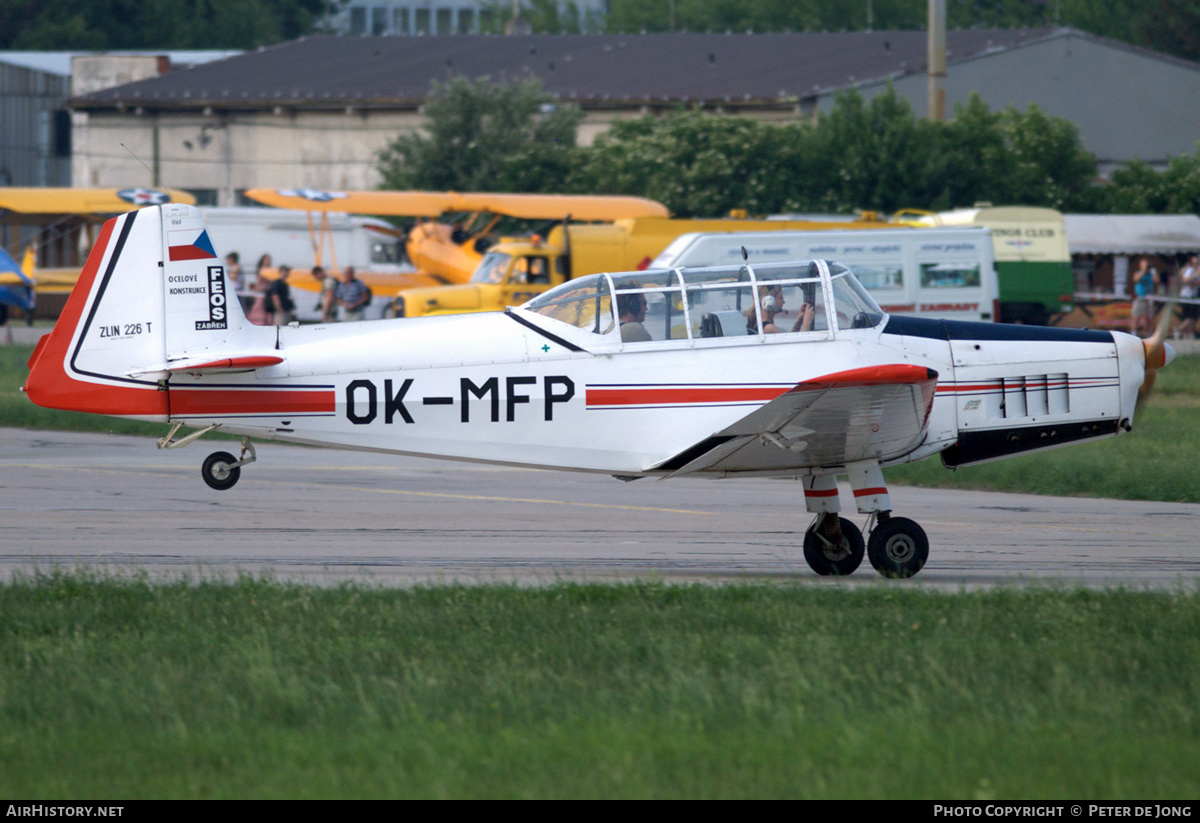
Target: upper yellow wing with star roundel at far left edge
(44, 206)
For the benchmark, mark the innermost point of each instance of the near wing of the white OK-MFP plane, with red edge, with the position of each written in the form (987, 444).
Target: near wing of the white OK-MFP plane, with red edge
(874, 413)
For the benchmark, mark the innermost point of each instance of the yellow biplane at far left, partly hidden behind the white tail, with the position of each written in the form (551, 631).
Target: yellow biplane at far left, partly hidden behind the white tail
(63, 223)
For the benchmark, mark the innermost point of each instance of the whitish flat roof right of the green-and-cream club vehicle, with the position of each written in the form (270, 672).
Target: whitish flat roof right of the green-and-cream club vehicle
(1133, 235)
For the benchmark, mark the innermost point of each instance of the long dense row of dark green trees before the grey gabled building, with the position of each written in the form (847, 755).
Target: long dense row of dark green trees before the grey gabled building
(863, 154)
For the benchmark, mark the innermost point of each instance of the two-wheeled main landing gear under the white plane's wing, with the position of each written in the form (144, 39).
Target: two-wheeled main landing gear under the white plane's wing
(897, 546)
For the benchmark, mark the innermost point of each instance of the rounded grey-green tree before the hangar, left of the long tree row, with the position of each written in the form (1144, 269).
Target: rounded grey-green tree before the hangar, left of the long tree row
(484, 136)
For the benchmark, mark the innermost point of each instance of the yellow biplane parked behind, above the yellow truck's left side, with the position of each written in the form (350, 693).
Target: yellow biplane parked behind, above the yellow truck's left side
(449, 253)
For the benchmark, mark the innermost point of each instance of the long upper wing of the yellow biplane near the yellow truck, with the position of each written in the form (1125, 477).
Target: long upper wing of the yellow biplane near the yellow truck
(434, 205)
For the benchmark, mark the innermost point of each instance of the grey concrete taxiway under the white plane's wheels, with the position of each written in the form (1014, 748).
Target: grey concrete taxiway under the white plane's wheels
(121, 506)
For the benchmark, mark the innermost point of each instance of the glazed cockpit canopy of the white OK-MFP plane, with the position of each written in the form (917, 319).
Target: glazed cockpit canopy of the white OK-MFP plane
(748, 302)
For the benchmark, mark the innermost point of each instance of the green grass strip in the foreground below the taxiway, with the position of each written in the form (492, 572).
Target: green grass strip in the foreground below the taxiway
(262, 690)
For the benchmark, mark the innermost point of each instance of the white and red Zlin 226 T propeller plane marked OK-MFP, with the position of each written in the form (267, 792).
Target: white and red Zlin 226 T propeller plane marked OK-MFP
(653, 374)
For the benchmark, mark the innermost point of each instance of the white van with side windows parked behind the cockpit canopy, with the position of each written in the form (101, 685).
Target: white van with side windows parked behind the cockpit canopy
(949, 274)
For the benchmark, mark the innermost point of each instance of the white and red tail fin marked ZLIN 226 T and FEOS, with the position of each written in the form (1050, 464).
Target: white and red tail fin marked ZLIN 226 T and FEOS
(152, 293)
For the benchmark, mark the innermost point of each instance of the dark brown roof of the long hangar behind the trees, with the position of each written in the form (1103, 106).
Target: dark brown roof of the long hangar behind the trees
(593, 70)
